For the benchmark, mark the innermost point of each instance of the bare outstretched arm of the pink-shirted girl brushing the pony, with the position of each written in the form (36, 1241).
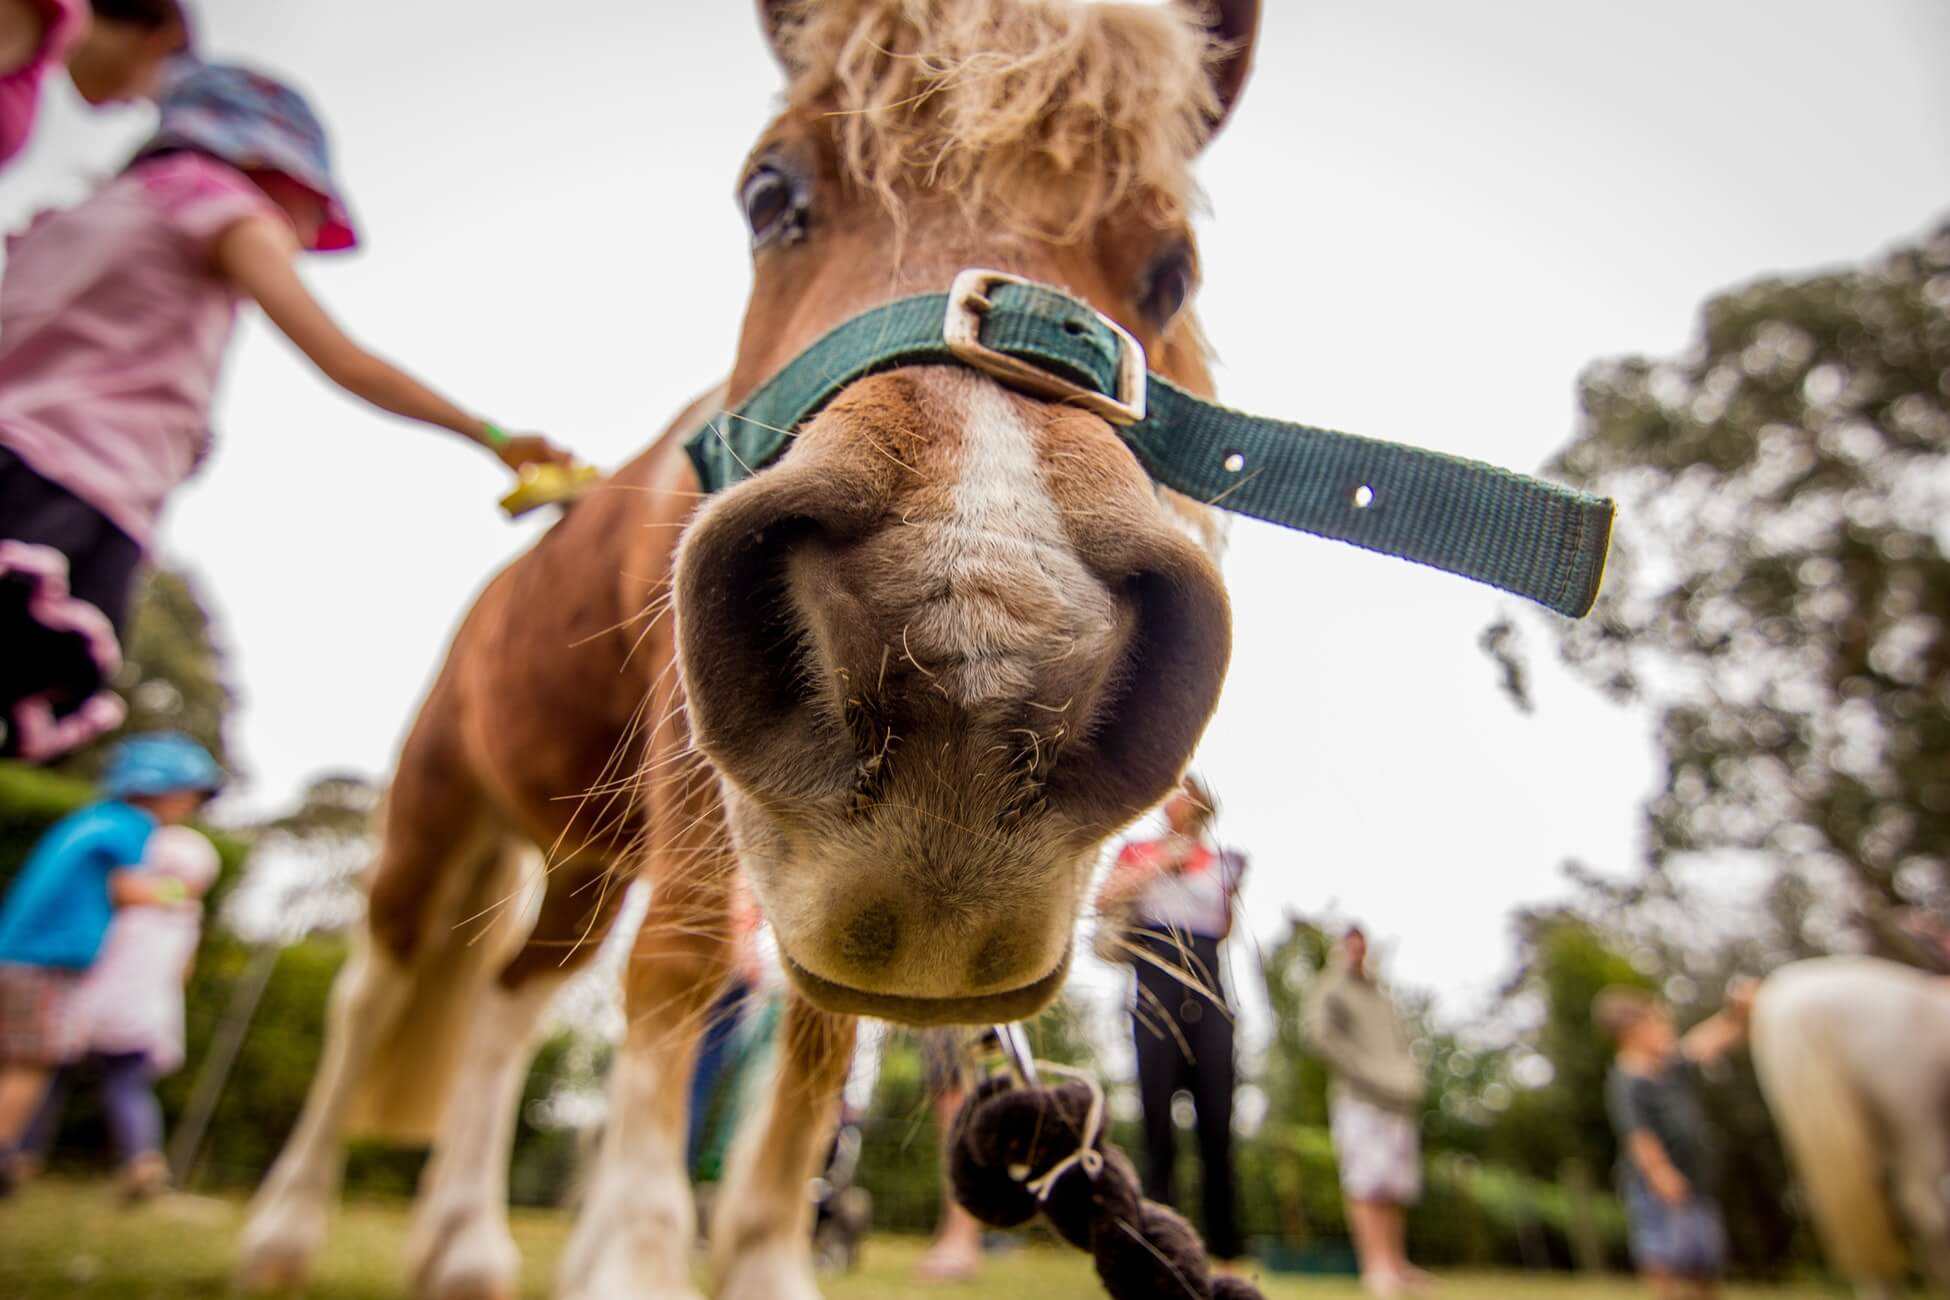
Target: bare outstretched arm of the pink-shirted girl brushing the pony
(258, 256)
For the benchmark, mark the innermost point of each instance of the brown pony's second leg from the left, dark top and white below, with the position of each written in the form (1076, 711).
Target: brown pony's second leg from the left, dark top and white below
(461, 1246)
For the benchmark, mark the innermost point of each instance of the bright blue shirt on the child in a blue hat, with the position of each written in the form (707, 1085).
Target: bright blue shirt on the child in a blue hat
(59, 907)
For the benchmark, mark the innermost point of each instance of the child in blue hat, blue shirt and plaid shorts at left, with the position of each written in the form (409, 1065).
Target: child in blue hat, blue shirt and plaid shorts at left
(59, 909)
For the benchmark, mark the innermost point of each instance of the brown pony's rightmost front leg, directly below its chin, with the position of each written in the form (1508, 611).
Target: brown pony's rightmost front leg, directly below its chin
(763, 1233)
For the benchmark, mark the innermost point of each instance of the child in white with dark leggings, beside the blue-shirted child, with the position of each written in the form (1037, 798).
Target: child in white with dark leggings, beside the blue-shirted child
(132, 1005)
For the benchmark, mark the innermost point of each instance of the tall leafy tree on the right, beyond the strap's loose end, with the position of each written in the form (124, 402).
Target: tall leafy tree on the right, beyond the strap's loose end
(1779, 590)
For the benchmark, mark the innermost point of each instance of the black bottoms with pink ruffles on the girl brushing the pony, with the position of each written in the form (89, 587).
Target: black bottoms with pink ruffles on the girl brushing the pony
(65, 582)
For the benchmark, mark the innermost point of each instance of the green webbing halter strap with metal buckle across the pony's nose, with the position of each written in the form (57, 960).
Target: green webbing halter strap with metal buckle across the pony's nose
(1534, 539)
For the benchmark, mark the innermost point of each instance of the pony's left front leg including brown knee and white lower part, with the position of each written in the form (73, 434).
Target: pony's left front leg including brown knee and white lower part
(639, 1223)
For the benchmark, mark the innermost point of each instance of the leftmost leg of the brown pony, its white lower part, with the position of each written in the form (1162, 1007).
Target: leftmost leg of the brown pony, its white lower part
(288, 1219)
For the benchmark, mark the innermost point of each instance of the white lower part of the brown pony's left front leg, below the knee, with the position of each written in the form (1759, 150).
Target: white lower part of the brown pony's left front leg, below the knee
(639, 1223)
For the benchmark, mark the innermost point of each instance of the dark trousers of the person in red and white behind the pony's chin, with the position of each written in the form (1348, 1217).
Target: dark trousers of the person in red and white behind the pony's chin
(1185, 1044)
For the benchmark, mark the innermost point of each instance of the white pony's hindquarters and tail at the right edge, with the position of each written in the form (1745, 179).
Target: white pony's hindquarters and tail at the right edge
(1855, 1063)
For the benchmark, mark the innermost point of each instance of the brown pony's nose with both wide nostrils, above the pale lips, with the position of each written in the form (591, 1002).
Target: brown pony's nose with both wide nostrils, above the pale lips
(838, 621)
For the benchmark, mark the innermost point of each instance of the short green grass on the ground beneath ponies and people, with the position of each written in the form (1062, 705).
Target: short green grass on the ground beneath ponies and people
(73, 1241)
